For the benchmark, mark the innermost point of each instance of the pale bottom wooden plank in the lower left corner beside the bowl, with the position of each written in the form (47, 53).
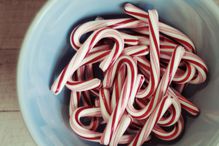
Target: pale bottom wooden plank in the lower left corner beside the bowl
(13, 131)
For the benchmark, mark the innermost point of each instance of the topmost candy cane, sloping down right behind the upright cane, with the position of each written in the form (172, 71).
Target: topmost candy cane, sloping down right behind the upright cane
(164, 28)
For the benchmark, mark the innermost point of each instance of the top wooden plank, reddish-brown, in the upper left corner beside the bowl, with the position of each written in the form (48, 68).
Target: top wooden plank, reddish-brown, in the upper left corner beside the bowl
(15, 17)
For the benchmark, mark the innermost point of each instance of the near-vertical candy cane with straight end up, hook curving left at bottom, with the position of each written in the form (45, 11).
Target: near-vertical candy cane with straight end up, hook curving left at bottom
(154, 56)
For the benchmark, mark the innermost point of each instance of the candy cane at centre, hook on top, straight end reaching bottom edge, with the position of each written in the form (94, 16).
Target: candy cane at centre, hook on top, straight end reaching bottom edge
(124, 97)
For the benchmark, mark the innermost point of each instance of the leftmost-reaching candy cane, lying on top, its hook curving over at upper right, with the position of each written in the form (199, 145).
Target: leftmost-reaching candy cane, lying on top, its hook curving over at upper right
(75, 62)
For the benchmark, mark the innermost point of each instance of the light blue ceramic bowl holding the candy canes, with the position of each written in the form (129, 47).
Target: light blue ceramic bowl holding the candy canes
(46, 49)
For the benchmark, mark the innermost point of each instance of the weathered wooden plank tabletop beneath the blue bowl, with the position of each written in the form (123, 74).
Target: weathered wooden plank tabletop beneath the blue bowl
(15, 17)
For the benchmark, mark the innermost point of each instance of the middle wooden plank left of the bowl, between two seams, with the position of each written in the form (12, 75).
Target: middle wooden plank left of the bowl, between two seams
(8, 97)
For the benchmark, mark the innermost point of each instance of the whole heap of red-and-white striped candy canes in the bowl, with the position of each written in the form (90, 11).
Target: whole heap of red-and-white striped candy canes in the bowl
(145, 65)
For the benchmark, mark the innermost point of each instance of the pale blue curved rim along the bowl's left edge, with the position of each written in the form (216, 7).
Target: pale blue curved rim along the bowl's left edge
(29, 33)
